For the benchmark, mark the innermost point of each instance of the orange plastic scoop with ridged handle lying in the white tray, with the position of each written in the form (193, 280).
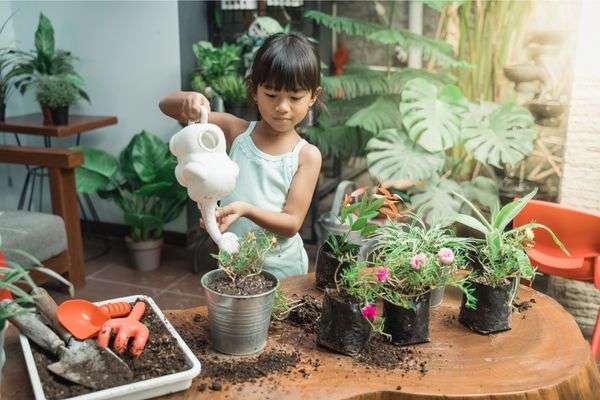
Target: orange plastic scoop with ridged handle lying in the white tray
(84, 319)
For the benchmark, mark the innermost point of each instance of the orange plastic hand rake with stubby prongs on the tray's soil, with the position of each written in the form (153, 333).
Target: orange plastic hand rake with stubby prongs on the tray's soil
(125, 329)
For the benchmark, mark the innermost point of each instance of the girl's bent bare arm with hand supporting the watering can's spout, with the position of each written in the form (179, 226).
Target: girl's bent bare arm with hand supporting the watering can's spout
(289, 221)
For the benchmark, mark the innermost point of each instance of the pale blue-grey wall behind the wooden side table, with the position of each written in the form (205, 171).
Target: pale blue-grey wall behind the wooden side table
(129, 56)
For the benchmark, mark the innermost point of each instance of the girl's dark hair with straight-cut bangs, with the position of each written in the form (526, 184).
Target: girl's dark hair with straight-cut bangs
(286, 61)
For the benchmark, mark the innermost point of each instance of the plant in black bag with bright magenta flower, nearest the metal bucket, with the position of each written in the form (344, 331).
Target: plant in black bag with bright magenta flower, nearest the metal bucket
(348, 314)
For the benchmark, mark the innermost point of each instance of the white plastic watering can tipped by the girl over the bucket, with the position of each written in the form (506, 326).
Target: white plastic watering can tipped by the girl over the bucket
(205, 169)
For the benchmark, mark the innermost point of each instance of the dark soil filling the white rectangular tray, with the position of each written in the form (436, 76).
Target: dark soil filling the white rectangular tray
(161, 346)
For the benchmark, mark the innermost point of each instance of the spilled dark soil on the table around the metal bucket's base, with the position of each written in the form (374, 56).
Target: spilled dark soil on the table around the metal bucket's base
(218, 370)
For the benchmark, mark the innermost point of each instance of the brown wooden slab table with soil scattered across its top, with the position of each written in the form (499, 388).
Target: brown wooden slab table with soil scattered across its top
(544, 356)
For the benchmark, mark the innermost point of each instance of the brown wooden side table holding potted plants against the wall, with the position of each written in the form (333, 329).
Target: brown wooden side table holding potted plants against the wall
(32, 124)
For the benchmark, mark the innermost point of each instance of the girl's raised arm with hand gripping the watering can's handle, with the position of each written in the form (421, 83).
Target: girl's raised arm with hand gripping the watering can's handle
(185, 106)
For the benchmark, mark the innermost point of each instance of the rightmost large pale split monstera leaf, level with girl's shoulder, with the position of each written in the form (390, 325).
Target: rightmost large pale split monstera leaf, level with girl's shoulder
(499, 137)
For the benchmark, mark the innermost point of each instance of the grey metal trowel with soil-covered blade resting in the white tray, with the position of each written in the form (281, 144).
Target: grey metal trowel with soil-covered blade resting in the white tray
(83, 363)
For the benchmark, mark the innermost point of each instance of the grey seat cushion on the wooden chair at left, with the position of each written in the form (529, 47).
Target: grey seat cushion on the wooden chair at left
(41, 235)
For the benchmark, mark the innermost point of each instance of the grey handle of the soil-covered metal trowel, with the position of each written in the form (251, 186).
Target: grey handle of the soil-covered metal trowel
(30, 325)
